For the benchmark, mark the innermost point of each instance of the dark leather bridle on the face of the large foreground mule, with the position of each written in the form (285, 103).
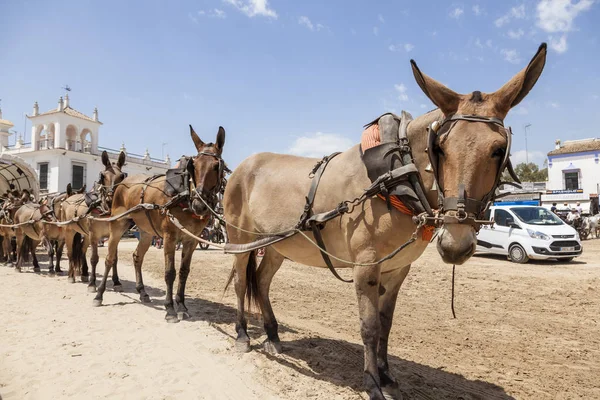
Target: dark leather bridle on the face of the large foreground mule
(466, 210)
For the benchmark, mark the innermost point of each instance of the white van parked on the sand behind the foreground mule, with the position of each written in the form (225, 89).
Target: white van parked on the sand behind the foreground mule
(528, 232)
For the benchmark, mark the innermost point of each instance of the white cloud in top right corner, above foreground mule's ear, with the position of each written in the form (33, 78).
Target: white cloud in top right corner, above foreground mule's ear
(558, 15)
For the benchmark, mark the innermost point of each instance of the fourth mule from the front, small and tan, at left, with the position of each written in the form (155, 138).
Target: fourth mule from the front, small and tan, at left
(30, 235)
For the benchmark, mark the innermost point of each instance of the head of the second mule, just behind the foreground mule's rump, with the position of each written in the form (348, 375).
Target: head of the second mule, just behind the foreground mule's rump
(206, 172)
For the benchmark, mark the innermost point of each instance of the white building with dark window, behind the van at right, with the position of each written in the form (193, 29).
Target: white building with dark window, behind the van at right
(574, 174)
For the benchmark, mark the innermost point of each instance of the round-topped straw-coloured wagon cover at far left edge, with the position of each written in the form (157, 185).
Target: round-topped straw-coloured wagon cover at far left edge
(15, 171)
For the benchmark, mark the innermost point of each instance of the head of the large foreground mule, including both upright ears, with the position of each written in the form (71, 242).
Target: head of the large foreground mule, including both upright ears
(469, 150)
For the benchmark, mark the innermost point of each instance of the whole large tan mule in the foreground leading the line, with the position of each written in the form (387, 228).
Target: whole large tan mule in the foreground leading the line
(267, 193)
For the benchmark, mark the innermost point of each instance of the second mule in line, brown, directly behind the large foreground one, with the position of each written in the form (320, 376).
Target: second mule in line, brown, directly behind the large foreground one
(204, 176)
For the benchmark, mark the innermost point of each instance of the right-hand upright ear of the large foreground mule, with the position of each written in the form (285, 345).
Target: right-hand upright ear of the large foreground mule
(519, 86)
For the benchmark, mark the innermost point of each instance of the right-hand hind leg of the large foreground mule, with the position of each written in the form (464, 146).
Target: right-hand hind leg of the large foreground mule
(269, 265)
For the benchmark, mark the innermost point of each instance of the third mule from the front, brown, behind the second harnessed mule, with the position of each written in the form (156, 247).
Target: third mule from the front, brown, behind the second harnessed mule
(79, 236)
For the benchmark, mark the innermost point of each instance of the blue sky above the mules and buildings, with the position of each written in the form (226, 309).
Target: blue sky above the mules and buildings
(292, 76)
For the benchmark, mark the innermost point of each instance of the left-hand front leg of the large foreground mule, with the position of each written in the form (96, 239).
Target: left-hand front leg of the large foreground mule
(366, 283)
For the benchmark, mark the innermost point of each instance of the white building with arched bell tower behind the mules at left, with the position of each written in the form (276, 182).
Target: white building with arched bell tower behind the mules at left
(64, 149)
